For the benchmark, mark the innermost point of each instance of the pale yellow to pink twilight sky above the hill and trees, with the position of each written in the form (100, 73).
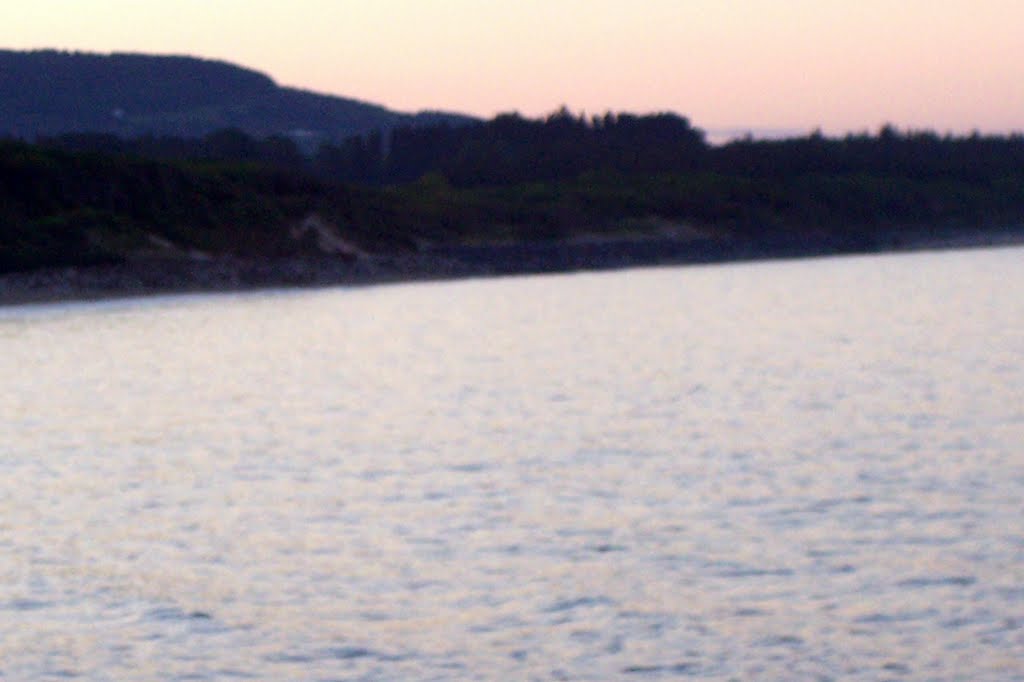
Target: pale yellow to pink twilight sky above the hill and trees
(787, 65)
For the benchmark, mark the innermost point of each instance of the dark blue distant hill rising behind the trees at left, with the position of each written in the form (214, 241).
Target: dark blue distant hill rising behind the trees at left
(50, 93)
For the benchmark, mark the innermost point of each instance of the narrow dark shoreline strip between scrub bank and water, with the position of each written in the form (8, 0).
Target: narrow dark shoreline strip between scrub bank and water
(226, 275)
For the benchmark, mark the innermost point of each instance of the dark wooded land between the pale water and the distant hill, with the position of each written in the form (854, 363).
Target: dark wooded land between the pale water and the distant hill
(97, 215)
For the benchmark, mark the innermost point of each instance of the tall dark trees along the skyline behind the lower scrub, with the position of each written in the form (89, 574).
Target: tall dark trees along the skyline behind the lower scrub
(511, 150)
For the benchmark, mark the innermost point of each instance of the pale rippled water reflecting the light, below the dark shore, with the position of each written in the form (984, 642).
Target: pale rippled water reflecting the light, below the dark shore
(799, 471)
